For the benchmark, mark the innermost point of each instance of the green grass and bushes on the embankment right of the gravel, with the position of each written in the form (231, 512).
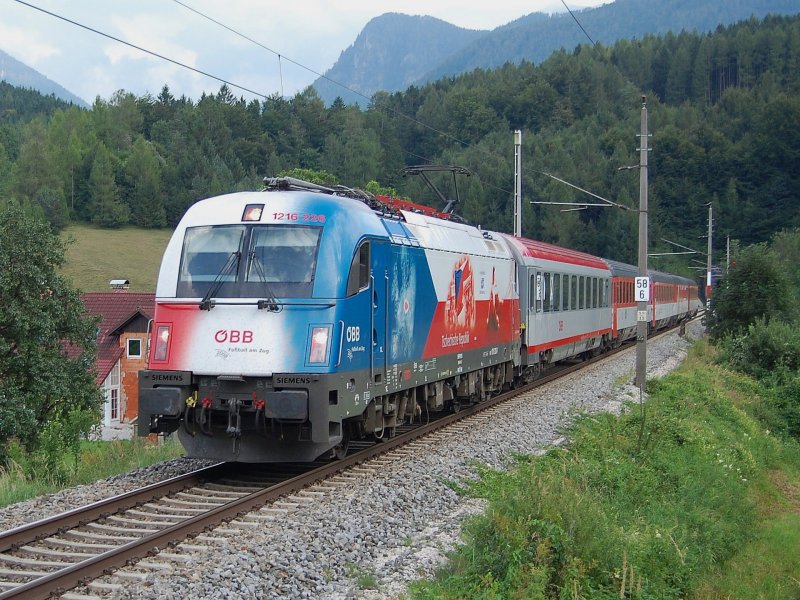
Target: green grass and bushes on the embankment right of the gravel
(706, 505)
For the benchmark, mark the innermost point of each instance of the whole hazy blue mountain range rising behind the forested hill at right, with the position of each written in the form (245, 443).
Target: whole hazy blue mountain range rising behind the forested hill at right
(395, 51)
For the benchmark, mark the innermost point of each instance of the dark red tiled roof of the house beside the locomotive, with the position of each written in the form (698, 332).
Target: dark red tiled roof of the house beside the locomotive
(115, 310)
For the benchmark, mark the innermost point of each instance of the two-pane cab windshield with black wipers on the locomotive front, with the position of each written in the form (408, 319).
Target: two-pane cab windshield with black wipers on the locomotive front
(249, 261)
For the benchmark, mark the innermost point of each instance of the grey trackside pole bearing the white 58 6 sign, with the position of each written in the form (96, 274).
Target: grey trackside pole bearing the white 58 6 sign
(643, 287)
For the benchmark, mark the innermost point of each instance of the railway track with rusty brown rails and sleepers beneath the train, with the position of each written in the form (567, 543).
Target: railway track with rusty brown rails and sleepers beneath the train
(50, 557)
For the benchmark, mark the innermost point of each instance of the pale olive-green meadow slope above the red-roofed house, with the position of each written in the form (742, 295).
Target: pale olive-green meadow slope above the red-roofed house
(96, 256)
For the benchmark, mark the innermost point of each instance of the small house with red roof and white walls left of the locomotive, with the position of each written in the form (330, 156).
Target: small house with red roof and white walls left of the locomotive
(121, 354)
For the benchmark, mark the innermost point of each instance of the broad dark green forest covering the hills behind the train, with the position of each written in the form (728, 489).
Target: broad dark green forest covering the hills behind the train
(724, 116)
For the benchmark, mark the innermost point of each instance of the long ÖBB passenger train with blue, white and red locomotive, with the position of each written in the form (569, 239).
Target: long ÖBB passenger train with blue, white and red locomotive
(292, 321)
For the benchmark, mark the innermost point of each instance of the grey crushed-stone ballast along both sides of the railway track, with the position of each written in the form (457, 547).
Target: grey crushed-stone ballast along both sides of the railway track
(385, 529)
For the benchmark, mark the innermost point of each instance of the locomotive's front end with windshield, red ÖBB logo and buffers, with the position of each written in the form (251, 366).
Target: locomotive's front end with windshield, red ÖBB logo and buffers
(256, 294)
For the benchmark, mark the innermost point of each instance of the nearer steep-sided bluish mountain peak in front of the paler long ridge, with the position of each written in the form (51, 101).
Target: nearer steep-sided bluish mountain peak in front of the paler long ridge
(390, 53)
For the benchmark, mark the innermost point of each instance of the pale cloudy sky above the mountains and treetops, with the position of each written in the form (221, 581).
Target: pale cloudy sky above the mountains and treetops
(287, 33)
